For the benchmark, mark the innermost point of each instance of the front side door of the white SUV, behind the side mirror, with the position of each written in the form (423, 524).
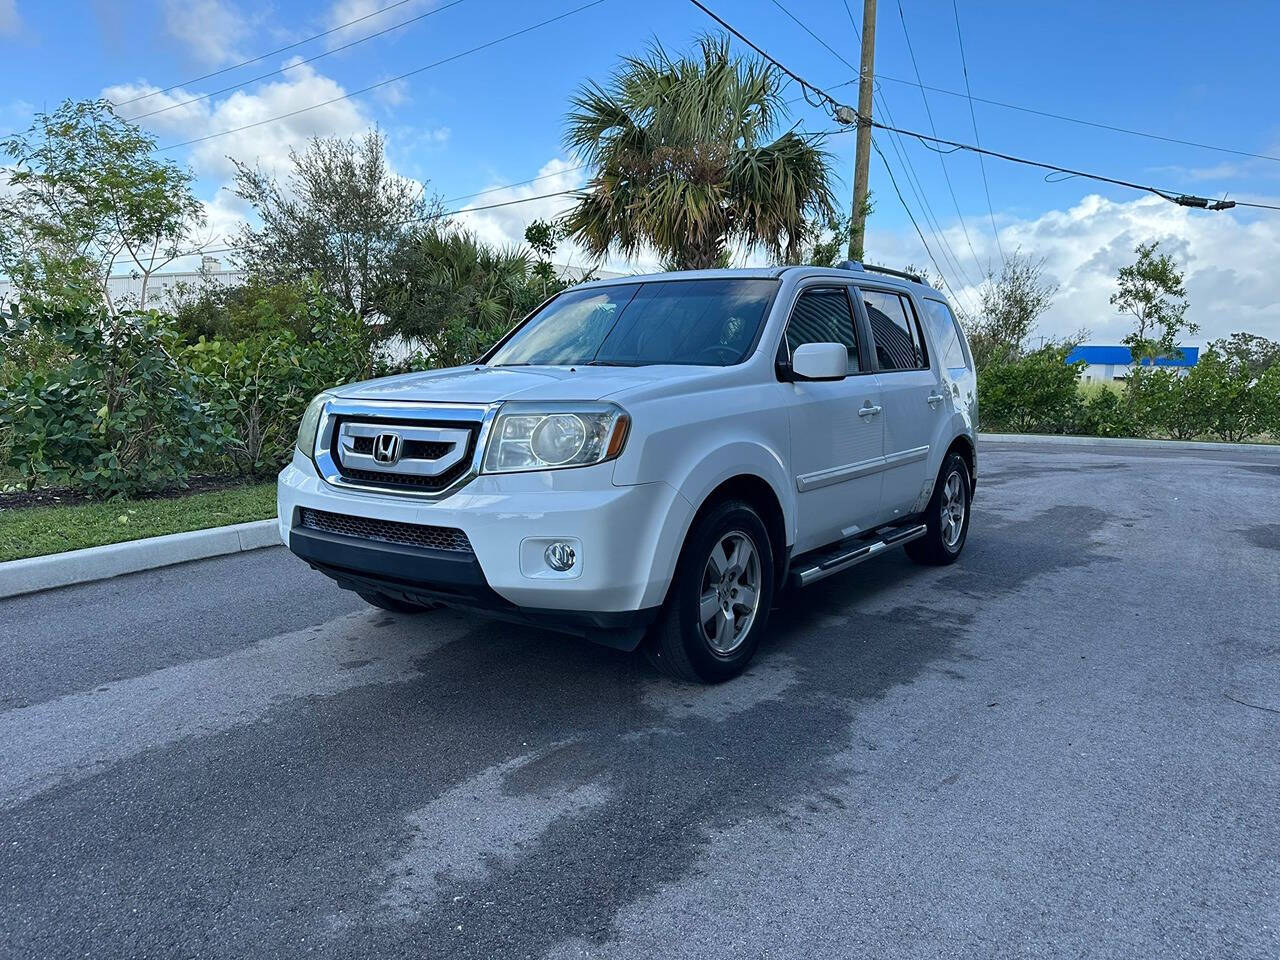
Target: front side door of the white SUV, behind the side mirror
(838, 440)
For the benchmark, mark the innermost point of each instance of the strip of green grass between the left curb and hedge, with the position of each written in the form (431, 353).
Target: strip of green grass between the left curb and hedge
(36, 532)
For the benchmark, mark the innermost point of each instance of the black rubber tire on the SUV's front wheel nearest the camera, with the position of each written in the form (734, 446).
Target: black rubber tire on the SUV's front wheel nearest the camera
(680, 644)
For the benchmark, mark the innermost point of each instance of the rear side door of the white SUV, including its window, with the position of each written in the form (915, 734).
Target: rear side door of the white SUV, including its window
(911, 397)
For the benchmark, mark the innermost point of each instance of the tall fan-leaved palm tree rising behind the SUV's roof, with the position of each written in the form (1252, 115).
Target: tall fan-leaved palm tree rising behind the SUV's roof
(687, 161)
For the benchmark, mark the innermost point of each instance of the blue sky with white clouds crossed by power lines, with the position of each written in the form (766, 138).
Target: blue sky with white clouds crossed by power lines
(496, 117)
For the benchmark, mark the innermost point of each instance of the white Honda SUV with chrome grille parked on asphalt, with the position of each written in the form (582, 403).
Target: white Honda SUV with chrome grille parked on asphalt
(652, 460)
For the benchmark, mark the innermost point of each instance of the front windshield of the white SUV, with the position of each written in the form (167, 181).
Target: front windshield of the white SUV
(711, 323)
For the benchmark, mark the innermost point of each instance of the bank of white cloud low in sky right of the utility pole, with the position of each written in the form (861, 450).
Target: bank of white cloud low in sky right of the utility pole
(1229, 259)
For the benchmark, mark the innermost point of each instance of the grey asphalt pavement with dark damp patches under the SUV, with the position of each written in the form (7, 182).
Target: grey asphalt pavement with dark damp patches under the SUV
(1066, 746)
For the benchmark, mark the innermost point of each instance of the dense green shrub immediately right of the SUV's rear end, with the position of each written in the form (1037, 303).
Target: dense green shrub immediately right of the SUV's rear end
(1035, 394)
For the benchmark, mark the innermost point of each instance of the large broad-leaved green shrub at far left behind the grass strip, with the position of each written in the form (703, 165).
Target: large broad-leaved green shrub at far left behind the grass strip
(112, 412)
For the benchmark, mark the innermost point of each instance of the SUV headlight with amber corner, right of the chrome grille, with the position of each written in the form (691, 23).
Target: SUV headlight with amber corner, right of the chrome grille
(555, 436)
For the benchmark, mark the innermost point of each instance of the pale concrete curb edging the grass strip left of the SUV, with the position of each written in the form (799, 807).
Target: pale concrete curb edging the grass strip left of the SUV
(28, 577)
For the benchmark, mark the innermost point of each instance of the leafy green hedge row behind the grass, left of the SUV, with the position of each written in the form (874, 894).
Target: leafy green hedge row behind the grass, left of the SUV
(124, 405)
